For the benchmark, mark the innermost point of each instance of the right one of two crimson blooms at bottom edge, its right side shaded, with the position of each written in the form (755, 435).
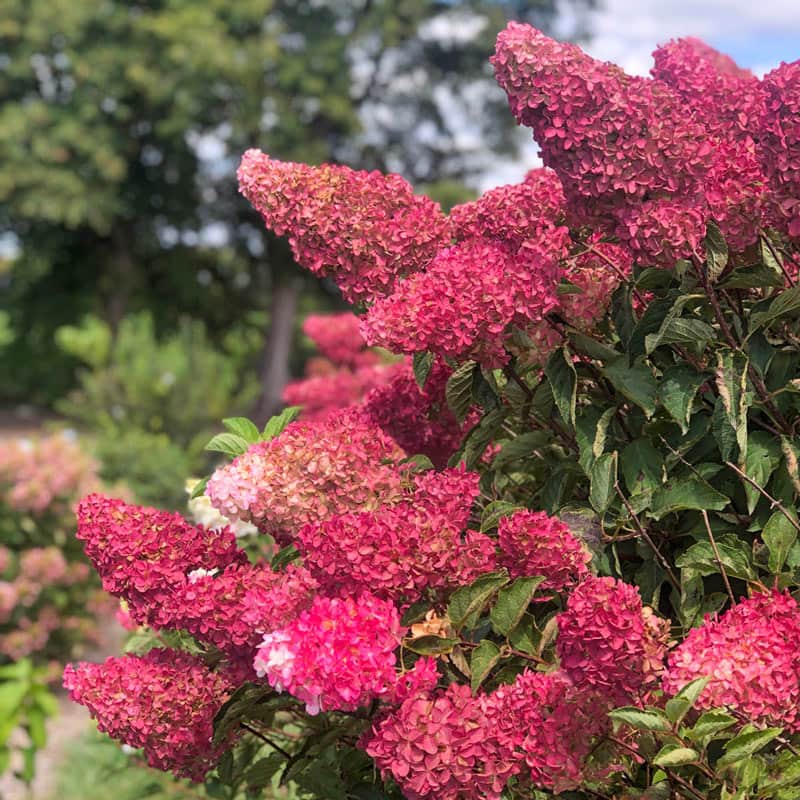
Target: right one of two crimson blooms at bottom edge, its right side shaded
(553, 726)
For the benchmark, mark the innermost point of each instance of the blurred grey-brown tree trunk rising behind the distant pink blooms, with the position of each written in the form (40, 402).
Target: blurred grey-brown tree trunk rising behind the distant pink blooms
(274, 365)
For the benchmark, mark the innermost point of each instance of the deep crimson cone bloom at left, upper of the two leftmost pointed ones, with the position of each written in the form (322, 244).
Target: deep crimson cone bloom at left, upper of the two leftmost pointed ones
(142, 553)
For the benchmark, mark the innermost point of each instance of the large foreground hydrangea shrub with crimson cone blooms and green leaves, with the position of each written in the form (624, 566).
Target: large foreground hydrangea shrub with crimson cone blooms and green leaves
(556, 553)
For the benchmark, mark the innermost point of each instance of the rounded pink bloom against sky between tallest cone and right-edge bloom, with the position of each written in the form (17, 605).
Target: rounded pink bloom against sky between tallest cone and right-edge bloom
(726, 98)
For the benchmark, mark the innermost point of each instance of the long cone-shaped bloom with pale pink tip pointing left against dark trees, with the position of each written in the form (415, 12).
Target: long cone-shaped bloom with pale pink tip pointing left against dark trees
(363, 229)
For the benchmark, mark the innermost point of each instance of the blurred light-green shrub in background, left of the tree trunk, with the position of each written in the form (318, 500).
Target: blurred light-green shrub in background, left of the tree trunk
(151, 402)
